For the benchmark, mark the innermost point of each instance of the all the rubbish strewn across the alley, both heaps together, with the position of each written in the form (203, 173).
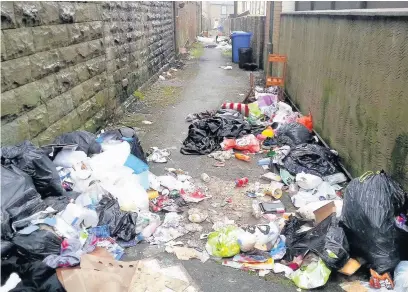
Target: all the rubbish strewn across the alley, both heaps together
(70, 209)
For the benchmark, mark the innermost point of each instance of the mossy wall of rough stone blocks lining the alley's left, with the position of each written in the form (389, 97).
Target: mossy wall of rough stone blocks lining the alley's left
(69, 65)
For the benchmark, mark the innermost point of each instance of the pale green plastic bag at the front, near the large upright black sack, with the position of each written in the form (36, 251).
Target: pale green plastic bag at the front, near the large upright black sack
(315, 275)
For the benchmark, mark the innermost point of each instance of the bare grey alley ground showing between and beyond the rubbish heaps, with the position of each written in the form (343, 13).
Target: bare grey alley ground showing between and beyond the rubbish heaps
(202, 85)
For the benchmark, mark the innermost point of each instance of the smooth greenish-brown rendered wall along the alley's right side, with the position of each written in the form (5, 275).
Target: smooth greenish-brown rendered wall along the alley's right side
(350, 69)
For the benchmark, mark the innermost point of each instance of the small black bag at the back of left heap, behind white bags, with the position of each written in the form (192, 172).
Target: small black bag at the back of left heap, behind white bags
(86, 141)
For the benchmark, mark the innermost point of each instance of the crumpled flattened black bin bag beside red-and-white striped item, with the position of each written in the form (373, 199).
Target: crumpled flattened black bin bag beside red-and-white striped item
(206, 135)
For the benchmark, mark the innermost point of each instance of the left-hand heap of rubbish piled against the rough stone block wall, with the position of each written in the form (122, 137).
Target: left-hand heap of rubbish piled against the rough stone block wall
(65, 202)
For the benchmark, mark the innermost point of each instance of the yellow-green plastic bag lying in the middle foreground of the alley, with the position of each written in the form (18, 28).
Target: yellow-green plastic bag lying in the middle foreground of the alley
(223, 243)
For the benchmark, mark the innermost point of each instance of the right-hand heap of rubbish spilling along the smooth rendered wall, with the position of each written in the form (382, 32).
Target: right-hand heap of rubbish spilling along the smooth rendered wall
(339, 226)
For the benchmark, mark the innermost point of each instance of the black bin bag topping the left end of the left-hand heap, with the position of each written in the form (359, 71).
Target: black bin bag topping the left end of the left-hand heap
(37, 165)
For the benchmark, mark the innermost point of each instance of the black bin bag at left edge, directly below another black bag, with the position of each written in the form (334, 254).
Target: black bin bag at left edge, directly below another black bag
(19, 199)
